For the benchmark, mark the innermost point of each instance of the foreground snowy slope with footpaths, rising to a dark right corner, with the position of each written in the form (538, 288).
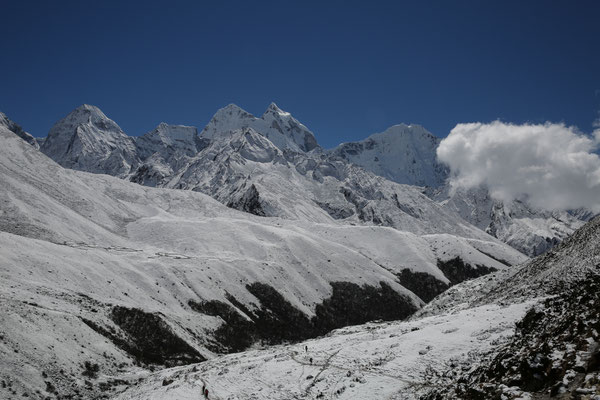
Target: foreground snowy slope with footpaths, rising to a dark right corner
(499, 336)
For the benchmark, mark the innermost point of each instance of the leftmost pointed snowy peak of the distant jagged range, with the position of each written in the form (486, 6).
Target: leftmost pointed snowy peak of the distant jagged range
(87, 140)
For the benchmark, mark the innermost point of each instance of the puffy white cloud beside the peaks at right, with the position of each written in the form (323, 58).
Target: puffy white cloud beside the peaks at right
(552, 166)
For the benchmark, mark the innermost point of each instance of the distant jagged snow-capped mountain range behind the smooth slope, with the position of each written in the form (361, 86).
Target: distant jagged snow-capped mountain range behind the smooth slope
(273, 166)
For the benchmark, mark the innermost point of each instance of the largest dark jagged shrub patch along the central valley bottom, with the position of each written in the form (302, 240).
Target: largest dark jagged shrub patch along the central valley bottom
(277, 320)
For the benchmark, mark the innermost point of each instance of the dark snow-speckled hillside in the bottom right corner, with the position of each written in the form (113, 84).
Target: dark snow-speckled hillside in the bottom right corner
(554, 351)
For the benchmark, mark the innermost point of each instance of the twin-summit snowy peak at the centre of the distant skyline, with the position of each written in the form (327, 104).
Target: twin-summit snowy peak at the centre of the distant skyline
(283, 130)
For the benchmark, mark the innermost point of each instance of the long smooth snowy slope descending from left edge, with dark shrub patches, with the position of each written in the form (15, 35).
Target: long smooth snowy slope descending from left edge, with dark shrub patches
(101, 278)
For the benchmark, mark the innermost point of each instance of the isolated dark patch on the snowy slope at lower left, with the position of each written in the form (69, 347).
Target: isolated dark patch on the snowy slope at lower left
(151, 340)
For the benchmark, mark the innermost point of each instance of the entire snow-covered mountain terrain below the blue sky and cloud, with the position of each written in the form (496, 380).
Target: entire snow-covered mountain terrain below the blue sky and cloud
(121, 255)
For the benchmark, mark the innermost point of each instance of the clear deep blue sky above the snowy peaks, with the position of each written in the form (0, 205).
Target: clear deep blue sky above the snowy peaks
(345, 69)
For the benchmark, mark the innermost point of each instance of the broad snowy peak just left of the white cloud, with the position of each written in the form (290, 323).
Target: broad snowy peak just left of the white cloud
(402, 153)
